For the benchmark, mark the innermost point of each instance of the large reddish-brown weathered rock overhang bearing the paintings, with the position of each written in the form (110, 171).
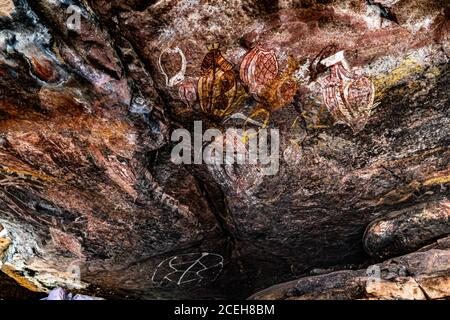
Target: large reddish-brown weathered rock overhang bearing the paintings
(86, 113)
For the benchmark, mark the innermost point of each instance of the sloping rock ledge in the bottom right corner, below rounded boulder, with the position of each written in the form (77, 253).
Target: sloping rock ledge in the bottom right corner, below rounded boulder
(417, 276)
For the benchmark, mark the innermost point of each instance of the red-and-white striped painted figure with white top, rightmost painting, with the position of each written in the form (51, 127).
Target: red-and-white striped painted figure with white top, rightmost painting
(348, 97)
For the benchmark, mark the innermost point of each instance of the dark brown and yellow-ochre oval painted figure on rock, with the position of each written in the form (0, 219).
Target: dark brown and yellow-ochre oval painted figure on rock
(217, 86)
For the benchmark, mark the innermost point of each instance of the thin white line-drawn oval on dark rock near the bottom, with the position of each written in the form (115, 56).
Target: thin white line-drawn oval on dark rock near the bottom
(188, 269)
